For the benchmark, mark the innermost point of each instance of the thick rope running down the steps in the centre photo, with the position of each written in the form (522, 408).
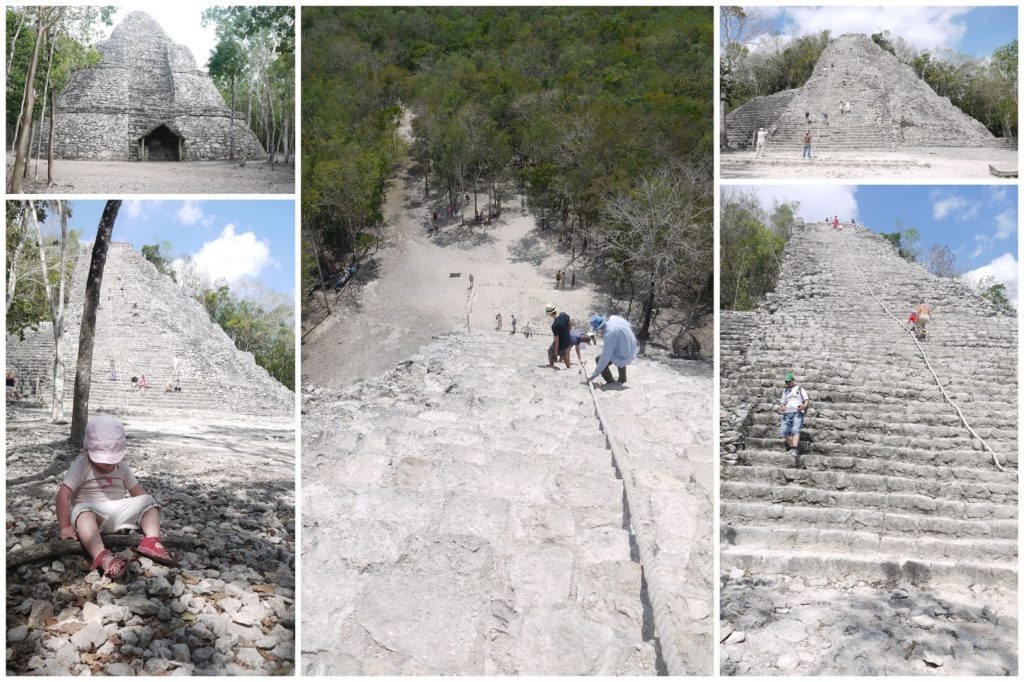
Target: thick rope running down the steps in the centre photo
(656, 588)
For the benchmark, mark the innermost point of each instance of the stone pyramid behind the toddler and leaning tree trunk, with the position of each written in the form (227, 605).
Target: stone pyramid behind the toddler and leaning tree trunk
(148, 326)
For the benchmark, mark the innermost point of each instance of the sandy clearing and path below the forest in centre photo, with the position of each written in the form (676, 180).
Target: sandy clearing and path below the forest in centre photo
(378, 324)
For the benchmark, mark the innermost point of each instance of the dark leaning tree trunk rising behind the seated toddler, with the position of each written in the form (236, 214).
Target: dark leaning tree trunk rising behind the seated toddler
(87, 337)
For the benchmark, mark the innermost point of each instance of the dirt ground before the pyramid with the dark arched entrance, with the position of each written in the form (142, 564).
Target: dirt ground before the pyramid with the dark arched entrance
(116, 178)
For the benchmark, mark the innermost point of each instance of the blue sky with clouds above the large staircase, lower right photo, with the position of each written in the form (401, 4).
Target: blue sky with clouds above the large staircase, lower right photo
(979, 224)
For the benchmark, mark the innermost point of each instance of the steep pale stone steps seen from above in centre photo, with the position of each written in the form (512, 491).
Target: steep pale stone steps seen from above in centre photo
(465, 509)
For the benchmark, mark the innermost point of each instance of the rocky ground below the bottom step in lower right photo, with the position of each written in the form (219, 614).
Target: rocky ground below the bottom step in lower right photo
(781, 625)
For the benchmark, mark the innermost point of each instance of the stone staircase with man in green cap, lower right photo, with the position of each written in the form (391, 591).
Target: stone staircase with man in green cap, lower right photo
(892, 485)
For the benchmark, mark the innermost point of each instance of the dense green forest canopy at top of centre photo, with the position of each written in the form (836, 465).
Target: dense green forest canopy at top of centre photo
(541, 97)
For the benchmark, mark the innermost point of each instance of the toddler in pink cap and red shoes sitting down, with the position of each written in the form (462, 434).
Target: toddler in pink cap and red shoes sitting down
(100, 494)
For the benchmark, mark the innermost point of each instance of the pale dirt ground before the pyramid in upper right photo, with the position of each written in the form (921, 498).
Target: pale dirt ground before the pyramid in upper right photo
(910, 163)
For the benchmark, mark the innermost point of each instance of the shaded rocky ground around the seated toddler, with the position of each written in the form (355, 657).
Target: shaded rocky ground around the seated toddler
(228, 608)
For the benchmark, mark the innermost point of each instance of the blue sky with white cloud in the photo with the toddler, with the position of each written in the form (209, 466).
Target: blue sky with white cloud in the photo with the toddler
(228, 240)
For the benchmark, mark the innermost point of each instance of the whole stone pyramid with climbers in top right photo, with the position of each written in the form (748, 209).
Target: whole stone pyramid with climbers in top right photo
(890, 107)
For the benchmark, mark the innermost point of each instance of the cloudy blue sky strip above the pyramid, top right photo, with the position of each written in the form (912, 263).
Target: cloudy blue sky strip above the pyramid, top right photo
(974, 31)
